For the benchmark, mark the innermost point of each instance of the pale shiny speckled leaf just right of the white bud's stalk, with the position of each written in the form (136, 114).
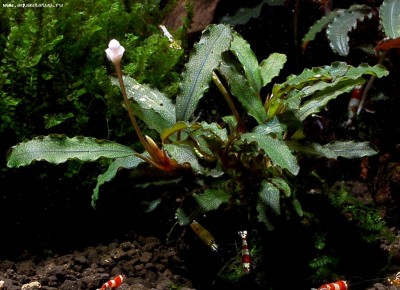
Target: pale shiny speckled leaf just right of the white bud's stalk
(152, 106)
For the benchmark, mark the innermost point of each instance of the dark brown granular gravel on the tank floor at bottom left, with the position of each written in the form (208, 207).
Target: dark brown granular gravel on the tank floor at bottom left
(145, 264)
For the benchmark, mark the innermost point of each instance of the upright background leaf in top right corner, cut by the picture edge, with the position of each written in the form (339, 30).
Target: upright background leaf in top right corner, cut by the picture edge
(389, 13)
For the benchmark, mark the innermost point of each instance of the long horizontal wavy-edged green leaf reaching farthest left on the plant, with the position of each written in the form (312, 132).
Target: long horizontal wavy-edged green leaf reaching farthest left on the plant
(58, 149)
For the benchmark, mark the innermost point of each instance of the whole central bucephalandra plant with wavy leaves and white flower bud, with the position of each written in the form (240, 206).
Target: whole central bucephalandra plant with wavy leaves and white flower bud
(250, 164)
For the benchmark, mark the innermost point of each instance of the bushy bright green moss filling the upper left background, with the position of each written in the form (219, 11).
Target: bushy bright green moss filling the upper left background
(53, 72)
